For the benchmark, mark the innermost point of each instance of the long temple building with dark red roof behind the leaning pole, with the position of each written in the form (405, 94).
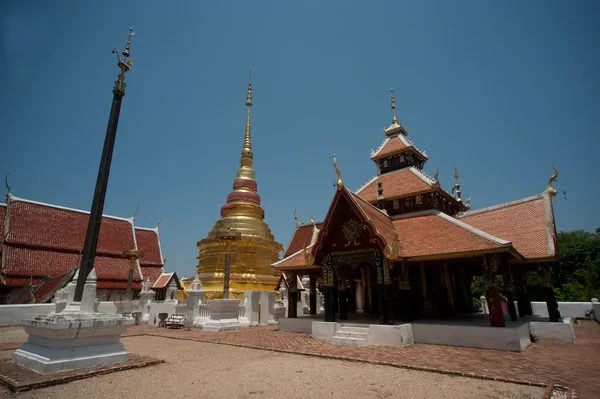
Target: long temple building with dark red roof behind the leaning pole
(41, 251)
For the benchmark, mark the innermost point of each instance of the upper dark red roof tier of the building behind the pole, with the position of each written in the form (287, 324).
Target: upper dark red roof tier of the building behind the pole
(43, 226)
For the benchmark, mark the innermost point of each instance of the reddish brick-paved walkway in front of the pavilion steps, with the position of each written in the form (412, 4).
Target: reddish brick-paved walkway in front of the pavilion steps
(574, 366)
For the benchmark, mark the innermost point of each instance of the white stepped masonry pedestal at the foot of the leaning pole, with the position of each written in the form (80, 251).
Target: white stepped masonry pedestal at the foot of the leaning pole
(67, 341)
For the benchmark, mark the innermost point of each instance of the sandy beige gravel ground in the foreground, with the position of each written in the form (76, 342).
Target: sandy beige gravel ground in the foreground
(195, 369)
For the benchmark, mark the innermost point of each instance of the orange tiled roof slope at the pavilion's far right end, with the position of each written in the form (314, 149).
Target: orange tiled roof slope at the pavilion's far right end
(527, 223)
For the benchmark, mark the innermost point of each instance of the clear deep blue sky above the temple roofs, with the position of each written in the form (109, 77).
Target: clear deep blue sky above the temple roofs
(500, 89)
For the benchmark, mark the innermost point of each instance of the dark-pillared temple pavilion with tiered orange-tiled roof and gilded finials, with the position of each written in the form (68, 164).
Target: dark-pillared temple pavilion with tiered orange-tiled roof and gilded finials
(402, 248)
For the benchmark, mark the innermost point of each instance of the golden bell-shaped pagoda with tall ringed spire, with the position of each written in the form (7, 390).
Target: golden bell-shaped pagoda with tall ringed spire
(240, 234)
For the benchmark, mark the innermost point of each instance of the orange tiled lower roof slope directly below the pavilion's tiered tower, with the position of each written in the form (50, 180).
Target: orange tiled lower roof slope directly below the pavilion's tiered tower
(435, 233)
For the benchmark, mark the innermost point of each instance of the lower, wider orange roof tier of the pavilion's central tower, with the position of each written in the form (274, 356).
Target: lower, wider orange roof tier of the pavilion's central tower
(396, 184)
